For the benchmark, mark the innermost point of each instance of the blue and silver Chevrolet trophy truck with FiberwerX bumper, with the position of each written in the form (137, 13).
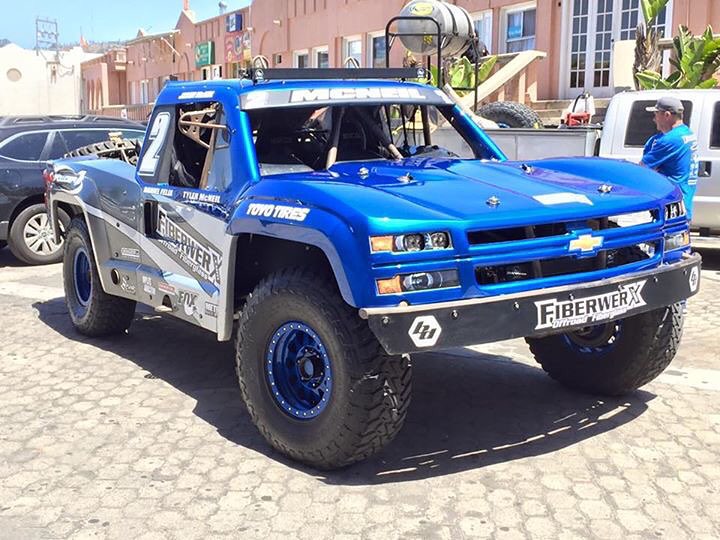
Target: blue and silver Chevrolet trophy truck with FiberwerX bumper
(316, 223)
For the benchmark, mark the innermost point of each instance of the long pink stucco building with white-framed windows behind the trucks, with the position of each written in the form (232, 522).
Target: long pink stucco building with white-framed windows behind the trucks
(577, 35)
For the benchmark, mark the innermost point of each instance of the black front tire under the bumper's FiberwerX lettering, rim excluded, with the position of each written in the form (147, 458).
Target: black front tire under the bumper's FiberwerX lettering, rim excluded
(645, 346)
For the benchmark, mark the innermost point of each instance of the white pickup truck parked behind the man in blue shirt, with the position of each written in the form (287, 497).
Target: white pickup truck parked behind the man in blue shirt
(626, 128)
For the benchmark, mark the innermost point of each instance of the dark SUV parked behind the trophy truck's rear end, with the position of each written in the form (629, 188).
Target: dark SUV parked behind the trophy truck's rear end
(26, 143)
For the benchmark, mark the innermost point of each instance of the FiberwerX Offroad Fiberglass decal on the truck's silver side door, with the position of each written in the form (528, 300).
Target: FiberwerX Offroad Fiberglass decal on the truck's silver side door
(203, 260)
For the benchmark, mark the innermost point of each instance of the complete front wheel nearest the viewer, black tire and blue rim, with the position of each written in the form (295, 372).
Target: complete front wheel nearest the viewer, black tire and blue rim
(315, 380)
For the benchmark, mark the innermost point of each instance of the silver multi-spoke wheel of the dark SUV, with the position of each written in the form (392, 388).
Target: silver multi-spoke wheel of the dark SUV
(31, 238)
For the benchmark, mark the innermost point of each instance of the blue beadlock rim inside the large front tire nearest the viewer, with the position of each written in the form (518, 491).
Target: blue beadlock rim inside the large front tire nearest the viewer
(299, 371)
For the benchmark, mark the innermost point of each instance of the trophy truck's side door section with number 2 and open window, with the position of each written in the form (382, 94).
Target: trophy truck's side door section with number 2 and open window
(185, 172)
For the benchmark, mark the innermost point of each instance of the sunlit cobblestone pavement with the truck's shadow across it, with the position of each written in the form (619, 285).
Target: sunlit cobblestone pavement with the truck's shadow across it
(145, 436)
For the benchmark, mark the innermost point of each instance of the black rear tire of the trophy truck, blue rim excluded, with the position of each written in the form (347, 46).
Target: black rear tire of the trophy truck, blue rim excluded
(104, 314)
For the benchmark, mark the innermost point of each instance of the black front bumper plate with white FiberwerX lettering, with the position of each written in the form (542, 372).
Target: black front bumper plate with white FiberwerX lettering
(412, 328)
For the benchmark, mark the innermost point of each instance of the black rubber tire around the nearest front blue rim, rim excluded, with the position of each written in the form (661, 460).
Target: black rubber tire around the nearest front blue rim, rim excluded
(371, 390)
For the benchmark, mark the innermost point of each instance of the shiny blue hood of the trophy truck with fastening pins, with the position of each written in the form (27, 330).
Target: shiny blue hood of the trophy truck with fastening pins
(461, 189)
